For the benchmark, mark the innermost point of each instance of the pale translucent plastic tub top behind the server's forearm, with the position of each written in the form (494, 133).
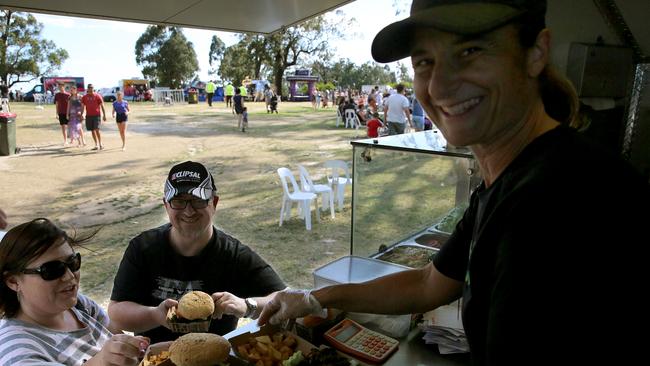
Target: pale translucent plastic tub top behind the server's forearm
(354, 269)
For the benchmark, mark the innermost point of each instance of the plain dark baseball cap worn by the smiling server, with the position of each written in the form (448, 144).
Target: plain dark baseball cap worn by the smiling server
(464, 17)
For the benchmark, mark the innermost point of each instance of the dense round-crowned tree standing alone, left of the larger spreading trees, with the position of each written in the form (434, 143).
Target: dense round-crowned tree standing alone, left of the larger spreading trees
(166, 56)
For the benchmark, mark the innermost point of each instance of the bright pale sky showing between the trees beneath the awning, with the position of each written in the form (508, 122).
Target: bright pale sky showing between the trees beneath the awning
(102, 51)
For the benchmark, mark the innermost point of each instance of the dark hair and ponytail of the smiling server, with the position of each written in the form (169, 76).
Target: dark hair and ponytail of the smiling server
(558, 94)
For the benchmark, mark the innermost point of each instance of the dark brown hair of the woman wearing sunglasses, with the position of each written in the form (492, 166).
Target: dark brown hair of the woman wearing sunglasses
(21, 245)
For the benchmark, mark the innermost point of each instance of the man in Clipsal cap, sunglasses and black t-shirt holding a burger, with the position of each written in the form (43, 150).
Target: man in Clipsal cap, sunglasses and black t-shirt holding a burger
(189, 253)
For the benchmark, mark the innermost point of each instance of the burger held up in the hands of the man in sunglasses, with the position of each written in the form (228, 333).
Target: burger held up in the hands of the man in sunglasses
(193, 313)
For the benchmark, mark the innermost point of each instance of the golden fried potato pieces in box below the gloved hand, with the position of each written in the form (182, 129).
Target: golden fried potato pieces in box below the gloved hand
(268, 350)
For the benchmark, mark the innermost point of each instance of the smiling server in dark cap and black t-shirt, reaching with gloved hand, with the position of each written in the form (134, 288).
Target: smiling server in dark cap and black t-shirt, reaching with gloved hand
(542, 280)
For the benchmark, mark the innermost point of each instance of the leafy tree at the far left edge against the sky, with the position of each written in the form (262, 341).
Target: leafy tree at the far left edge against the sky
(23, 53)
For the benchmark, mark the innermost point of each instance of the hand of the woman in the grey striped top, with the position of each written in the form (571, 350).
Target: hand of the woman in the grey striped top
(121, 349)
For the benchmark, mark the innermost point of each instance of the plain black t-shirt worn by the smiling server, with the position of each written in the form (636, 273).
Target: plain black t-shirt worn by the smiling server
(555, 250)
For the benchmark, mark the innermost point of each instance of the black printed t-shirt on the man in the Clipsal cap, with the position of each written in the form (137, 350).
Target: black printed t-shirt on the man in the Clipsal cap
(151, 271)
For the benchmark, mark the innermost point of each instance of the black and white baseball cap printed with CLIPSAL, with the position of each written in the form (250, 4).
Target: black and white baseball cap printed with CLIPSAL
(192, 178)
